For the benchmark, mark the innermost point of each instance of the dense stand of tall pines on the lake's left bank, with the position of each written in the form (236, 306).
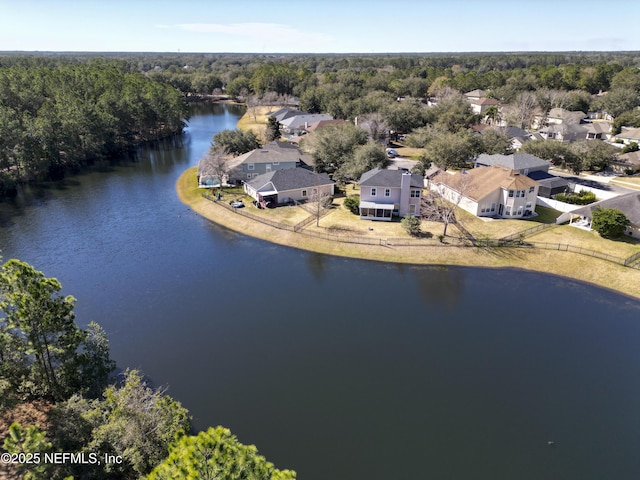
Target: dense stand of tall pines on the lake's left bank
(58, 114)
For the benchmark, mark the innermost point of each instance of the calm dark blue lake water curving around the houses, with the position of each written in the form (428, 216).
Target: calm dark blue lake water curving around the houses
(334, 367)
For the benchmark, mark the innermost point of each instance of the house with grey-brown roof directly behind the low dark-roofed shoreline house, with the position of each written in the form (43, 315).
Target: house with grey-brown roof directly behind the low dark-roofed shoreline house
(273, 156)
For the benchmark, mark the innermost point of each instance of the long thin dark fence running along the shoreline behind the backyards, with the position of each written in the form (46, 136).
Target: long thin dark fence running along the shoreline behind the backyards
(510, 241)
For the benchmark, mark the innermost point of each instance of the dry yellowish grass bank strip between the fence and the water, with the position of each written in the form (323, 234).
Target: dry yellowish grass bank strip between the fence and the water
(570, 265)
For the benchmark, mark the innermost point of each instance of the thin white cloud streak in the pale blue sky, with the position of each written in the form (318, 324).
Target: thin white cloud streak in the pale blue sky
(272, 33)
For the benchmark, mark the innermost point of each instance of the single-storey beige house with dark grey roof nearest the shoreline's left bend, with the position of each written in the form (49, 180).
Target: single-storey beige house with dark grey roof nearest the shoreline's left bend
(285, 186)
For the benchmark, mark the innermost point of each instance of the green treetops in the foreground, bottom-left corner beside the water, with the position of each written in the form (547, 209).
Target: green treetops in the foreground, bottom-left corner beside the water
(67, 371)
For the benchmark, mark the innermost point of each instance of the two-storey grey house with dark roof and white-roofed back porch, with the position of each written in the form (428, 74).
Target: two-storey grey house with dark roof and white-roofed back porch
(387, 193)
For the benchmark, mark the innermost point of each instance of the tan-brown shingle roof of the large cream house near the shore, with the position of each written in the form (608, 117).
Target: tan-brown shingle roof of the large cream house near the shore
(480, 182)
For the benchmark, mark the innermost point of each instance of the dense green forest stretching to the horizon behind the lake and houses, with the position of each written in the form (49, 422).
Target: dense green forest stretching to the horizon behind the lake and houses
(59, 112)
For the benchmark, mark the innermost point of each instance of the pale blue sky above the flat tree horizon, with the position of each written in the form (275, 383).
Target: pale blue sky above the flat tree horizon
(318, 26)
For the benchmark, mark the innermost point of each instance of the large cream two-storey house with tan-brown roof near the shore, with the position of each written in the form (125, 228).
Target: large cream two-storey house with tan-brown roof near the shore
(495, 191)
